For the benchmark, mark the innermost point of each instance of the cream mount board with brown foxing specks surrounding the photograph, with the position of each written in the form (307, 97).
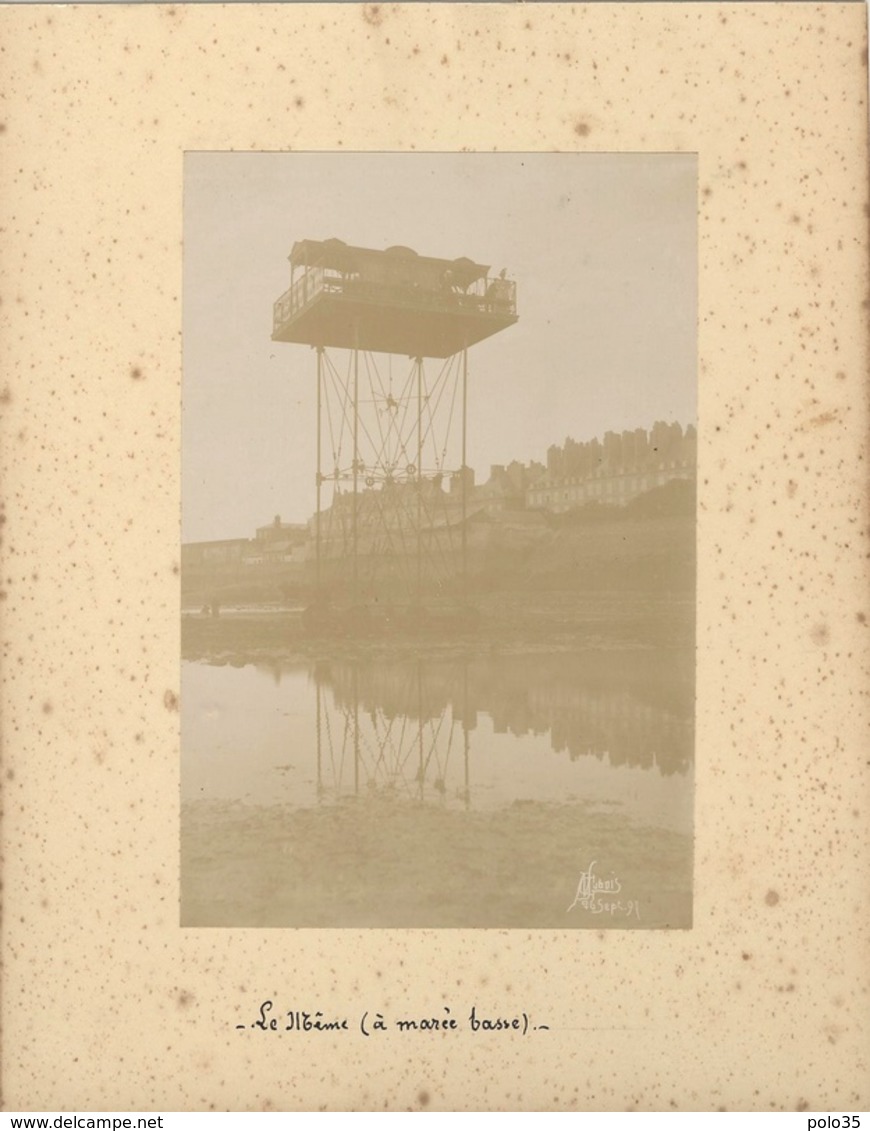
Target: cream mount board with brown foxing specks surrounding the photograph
(109, 1003)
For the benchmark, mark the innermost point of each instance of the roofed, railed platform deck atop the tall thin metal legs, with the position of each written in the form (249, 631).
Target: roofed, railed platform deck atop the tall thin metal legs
(393, 301)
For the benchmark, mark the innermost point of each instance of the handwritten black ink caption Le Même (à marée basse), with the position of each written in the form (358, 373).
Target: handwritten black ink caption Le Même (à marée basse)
(371, 1023)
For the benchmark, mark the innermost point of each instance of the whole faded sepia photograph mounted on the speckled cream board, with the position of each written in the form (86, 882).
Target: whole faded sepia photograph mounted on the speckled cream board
(438, 573)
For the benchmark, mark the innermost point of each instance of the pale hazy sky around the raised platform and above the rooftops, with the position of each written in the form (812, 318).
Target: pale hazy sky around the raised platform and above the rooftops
(602, 247)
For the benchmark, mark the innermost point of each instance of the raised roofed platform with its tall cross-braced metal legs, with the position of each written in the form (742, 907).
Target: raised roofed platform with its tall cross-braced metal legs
(394, 488)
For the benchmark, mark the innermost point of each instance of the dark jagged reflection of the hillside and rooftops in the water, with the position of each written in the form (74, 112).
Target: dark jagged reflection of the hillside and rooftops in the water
(630, 710)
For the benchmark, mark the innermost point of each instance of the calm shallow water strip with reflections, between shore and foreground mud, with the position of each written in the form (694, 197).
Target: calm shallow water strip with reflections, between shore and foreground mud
(479, 735)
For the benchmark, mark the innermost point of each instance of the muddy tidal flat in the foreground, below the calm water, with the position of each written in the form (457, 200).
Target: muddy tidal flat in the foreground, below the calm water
(368, 864)
